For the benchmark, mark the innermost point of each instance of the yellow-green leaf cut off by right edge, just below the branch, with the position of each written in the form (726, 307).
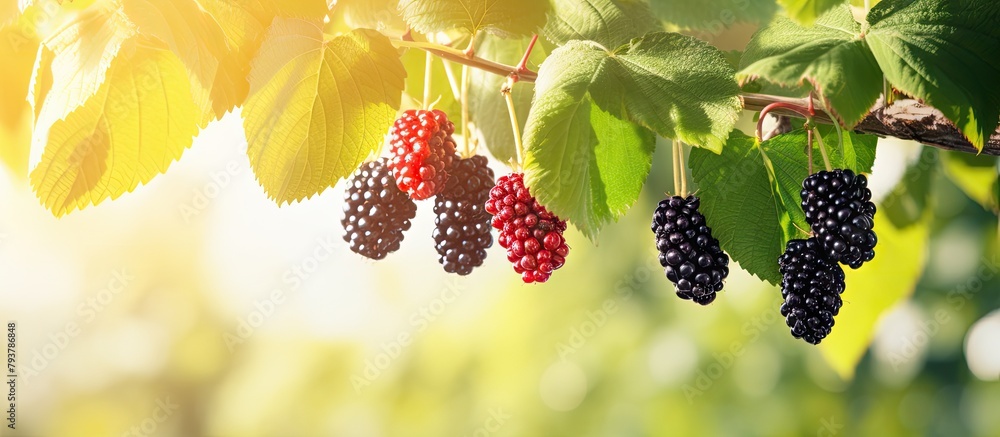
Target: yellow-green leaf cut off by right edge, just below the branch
(975, 175)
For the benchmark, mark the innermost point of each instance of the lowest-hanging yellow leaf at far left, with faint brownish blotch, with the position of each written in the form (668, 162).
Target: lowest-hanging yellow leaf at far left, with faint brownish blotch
(136, 124)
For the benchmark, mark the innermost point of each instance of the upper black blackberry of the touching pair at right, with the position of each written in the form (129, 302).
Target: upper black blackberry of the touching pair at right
(839, 209)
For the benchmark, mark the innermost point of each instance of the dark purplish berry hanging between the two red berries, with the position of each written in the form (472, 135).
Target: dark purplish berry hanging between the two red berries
(462, 232)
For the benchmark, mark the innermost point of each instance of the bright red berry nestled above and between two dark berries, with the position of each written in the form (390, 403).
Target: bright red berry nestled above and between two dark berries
(423, 151)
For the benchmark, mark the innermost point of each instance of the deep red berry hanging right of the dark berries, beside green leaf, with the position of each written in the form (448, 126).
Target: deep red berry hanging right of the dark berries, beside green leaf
(532, 235)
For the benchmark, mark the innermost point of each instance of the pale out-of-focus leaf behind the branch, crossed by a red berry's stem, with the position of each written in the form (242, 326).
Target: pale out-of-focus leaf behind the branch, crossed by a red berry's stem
(487, 107)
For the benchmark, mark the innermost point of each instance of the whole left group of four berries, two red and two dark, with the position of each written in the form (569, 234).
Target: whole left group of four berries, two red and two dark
(379, 203)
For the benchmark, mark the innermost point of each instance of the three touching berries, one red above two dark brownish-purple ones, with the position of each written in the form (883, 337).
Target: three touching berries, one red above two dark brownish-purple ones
(379, 203)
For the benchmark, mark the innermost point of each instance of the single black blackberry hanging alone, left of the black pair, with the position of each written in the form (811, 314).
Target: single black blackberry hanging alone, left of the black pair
(691, 257)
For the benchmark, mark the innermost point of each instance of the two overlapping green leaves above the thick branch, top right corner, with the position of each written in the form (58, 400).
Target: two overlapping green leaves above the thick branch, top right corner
(942, 52)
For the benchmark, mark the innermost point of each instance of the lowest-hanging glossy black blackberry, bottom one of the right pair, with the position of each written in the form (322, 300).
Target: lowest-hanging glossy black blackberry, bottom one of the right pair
(811, 285)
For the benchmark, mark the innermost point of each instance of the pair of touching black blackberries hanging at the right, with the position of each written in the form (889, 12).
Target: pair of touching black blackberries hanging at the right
(838, 207)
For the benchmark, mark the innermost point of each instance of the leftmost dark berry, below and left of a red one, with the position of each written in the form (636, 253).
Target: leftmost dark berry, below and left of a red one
(376, 211)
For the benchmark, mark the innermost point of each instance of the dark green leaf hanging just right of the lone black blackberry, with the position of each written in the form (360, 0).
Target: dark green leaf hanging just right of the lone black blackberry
(739, 205)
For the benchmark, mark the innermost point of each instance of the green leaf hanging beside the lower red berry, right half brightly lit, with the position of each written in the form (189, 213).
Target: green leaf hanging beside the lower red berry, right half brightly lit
(583, 164)
